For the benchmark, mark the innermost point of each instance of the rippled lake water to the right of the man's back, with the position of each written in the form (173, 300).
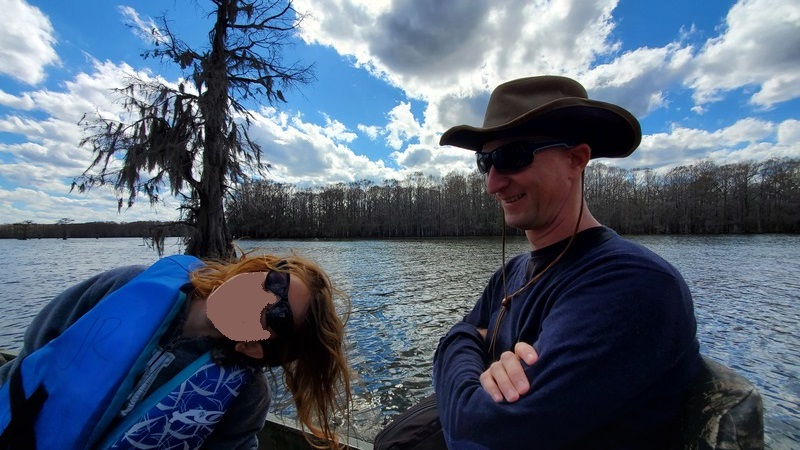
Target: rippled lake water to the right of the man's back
(746, 291)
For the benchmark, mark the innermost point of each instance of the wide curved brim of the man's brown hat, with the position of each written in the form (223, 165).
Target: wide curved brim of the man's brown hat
(611, 131)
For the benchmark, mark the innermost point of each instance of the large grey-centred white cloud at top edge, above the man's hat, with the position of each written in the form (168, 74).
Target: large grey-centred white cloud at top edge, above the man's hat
(460, 47)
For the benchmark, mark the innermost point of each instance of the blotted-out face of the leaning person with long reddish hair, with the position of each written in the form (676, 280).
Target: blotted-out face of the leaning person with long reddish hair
(240, 308)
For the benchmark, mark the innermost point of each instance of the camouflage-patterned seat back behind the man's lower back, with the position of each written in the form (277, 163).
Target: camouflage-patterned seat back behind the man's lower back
(724, 412)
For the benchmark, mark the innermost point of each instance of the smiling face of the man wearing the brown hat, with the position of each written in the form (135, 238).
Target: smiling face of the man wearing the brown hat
(536, 197)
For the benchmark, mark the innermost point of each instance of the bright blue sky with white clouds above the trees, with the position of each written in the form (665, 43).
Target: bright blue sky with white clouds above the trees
(712, 79)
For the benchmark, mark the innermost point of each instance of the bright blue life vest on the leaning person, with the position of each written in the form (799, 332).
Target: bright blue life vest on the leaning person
(106, 349)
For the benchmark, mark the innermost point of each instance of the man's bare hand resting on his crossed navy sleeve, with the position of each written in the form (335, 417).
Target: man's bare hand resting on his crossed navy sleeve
(506, 379)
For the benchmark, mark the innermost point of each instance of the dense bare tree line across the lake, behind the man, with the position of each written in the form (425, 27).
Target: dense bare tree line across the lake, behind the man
(702, 198)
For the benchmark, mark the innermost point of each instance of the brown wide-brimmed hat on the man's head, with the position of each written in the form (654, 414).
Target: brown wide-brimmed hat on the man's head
(551, 106)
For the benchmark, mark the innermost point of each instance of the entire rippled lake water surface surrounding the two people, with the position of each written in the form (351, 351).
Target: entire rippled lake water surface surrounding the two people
(407, 293)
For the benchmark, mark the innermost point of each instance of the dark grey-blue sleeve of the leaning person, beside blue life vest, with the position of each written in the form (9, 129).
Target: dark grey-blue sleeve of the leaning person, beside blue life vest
(66, 308)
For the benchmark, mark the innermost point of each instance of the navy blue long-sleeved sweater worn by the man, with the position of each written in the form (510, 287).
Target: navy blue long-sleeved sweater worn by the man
(614, 327)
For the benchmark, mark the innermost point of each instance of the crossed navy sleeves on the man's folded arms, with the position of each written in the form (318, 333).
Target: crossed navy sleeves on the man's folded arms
(605, 342)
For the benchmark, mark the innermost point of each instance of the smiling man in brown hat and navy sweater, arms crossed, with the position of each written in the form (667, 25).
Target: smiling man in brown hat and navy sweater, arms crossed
(589, 340)
